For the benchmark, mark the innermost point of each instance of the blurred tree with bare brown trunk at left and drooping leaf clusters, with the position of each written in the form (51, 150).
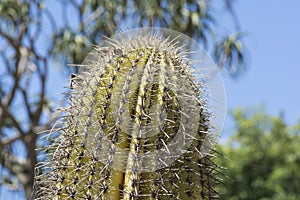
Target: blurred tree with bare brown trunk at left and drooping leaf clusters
(32, 37)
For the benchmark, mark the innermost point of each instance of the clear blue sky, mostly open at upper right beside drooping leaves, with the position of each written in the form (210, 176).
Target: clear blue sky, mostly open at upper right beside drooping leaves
(272, 30)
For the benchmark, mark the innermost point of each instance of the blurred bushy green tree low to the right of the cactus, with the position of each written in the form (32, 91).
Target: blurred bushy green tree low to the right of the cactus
(263, 158)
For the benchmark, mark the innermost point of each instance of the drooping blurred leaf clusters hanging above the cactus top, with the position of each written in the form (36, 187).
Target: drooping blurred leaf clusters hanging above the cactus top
(194, 18)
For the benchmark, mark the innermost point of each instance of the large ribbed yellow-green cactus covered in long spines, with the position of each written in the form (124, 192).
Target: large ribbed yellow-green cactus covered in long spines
(138, 125)
